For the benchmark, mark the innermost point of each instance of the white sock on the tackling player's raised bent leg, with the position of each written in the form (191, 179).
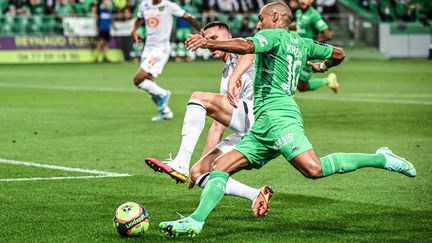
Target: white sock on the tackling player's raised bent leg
(193, 124)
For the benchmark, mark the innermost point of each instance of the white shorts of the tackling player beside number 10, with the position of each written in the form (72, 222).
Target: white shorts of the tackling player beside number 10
(241, 122)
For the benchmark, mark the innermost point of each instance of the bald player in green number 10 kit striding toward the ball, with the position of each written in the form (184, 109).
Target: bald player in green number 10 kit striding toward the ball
(278, 128)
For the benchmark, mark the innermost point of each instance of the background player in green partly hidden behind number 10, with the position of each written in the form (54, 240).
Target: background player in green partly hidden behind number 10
(311, 25)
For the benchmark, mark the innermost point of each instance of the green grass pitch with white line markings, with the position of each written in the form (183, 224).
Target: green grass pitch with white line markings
(91, 116)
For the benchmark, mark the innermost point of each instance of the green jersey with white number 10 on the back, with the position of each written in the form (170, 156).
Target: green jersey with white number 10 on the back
(280, 57)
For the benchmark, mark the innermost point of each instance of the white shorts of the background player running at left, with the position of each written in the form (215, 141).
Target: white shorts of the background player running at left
(154, 58)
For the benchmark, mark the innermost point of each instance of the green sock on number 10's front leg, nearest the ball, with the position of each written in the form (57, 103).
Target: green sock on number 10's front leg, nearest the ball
(213, 192)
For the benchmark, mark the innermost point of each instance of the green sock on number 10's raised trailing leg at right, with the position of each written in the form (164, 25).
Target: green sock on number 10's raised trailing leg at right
(344, 162)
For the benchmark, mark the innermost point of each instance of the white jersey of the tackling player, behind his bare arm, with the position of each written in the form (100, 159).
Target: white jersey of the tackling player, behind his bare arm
(246, 78)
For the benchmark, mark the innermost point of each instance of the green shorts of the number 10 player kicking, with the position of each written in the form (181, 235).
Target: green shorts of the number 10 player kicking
(272, 136)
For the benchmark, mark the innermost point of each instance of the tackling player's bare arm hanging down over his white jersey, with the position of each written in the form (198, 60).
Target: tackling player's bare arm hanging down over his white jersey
(235, 83)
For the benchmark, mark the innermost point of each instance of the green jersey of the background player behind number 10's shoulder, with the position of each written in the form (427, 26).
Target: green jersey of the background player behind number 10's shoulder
(310, 23)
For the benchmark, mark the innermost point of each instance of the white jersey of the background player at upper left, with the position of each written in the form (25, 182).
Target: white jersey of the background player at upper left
(159, 20)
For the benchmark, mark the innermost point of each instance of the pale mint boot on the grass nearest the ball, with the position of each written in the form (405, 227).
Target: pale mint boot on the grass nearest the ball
(184, 226)
